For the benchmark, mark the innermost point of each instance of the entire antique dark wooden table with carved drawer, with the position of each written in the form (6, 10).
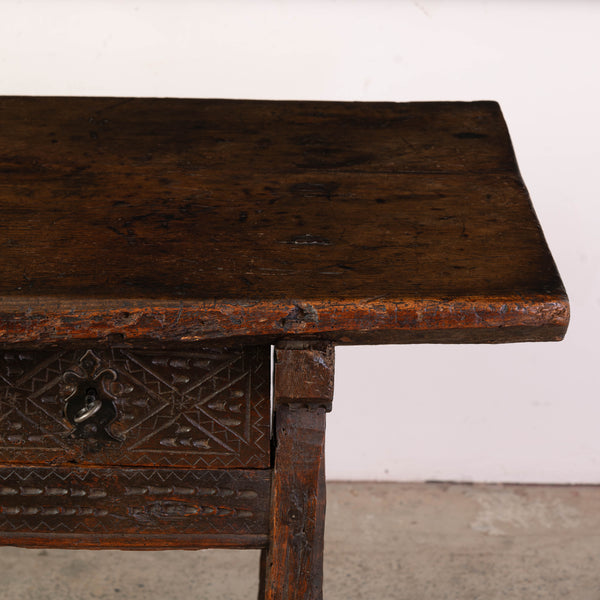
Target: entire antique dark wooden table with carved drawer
(153, 251)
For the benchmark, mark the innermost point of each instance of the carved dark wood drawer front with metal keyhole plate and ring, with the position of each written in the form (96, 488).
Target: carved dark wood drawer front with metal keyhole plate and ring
(103, 406)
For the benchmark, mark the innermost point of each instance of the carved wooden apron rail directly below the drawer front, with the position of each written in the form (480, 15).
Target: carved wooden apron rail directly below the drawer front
(166, 501)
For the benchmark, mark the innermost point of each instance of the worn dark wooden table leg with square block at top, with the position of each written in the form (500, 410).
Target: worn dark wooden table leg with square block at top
(292, 567)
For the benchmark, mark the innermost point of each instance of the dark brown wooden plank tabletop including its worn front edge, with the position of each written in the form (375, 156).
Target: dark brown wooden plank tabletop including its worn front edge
(188, 220)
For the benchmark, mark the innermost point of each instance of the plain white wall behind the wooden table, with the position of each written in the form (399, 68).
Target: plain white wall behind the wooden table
(525, 412)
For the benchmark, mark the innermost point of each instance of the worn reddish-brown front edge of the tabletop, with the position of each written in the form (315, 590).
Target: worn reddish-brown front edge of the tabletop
(46, 320)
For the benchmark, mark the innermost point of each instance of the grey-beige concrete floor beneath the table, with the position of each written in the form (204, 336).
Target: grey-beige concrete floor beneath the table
(384, 541)
